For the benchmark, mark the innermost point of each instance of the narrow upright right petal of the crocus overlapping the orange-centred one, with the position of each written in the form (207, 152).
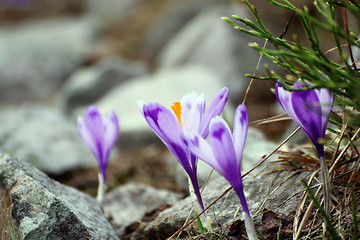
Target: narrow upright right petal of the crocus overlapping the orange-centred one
(240, 131)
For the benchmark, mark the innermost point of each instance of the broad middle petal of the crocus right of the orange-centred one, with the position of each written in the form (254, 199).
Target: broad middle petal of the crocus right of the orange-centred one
(221, 143)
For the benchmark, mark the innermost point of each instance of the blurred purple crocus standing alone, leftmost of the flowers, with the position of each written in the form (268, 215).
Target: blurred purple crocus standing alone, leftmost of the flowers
(99, 134)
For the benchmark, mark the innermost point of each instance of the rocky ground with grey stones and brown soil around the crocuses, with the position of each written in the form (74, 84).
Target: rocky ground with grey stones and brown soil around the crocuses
(58, 58)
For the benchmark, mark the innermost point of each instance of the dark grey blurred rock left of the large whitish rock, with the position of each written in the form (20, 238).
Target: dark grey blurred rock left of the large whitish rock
(87, 85)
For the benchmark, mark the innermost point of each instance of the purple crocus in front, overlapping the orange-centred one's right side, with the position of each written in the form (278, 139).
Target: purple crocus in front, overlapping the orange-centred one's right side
(224, 153)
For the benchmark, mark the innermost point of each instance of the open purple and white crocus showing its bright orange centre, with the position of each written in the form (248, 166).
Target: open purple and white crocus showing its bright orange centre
(188, 115)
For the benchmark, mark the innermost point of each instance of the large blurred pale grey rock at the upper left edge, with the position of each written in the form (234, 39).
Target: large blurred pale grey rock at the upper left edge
(36, 57)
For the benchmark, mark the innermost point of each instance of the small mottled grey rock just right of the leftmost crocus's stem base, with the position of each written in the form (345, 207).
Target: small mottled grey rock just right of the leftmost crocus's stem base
(127, 204)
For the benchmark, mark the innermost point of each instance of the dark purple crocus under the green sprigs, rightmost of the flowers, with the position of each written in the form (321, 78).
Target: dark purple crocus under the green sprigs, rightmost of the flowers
(310, 109)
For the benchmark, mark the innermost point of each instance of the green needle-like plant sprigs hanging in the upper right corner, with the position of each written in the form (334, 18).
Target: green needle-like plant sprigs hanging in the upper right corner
(311, 63)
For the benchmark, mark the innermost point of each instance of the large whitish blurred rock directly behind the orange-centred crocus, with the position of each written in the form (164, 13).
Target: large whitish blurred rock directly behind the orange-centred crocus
(165, 86)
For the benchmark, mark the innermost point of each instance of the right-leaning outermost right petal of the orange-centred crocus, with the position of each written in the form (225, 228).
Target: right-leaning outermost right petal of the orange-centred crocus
(216, 107)
